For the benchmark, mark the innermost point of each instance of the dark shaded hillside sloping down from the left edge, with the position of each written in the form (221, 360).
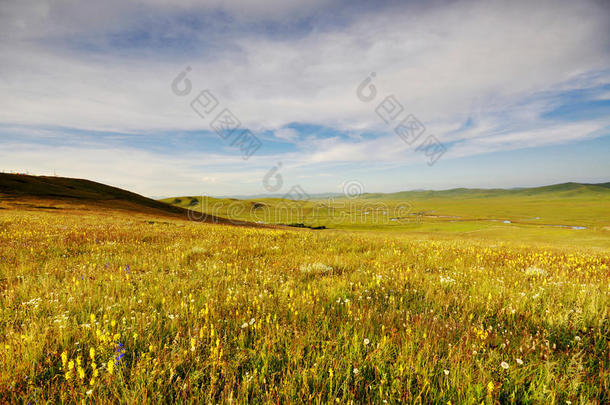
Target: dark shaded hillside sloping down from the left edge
(47, 192)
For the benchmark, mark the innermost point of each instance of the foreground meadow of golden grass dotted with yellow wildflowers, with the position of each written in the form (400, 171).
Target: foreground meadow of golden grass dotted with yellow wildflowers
(122, 307)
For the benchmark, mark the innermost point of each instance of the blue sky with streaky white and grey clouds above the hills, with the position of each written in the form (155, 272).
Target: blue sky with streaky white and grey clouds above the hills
(169, 98)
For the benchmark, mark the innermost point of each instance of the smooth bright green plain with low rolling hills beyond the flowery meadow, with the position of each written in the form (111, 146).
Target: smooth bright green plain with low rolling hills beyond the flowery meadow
(546, 215)
